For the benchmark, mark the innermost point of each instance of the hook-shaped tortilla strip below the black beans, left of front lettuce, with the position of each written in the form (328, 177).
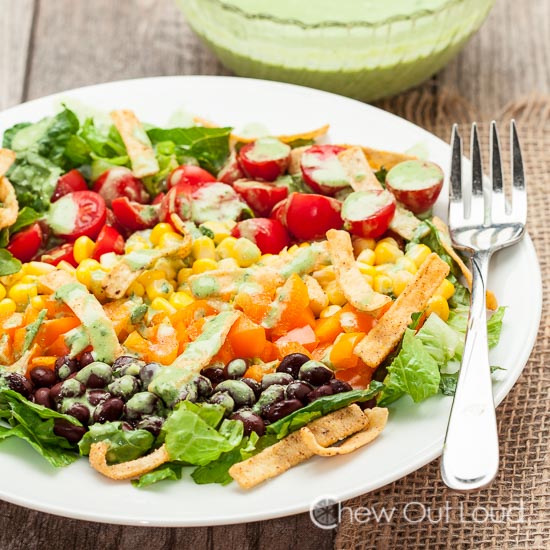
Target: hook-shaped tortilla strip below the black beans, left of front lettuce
(125, 470)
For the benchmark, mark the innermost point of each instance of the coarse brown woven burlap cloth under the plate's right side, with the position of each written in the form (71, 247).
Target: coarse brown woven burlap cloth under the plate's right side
(514, 512)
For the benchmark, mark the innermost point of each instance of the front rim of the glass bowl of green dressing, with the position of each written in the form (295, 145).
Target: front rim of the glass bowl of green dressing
(425, 12)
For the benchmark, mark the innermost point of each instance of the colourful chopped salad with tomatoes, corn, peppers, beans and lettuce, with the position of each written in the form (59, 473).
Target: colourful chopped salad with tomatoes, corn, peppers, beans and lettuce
(186, 297)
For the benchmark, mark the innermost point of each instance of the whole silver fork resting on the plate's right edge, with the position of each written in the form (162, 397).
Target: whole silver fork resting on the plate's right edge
(481, 222)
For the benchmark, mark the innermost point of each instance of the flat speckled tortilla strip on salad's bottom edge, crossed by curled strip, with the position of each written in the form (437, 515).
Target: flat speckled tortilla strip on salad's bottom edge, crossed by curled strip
(292, 450)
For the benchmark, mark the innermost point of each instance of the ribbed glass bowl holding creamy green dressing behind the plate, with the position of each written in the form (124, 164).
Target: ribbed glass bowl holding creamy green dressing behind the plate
(366, 59)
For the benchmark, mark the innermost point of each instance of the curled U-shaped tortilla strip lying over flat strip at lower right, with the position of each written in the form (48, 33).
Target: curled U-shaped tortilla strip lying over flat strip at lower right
(377, 419)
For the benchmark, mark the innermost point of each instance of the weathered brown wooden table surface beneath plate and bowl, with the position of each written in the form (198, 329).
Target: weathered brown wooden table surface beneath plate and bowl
(49, 46)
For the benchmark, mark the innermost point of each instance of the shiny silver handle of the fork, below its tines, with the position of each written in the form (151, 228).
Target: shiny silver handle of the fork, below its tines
(470, 453)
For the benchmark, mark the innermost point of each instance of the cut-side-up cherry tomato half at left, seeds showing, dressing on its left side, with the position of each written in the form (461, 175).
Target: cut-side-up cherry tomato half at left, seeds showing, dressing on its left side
(78, 213)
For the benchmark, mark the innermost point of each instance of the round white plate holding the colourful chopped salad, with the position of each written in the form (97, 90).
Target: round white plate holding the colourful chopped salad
(414, 435)
